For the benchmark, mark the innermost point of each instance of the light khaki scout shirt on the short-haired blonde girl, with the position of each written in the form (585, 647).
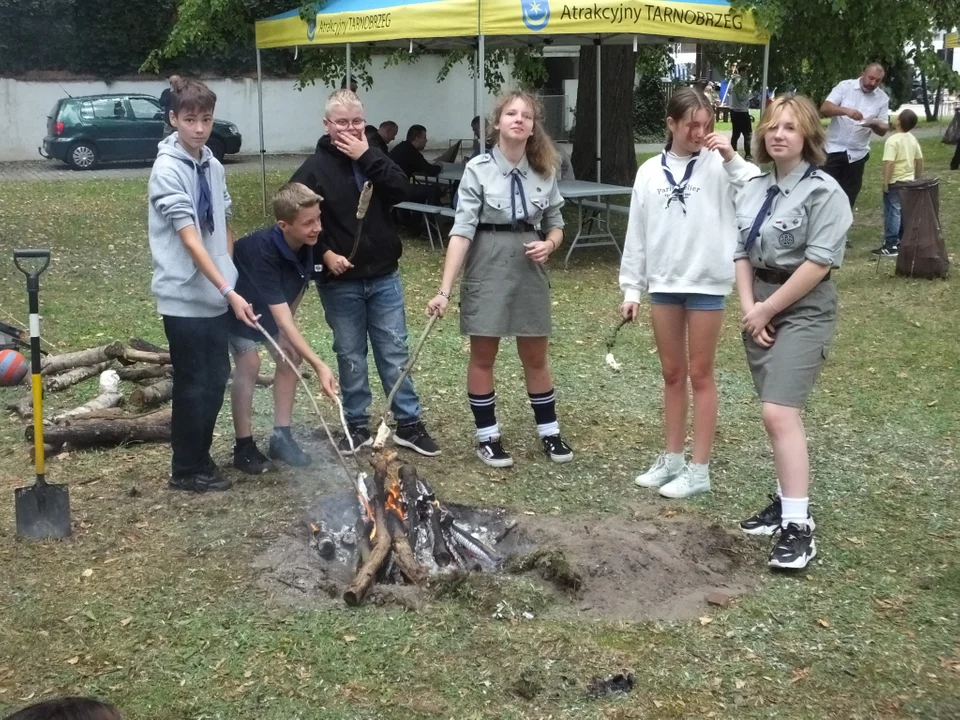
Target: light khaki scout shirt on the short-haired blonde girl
(808, 220)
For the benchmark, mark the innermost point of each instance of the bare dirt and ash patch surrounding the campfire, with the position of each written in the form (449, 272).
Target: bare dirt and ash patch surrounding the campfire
(650, 565)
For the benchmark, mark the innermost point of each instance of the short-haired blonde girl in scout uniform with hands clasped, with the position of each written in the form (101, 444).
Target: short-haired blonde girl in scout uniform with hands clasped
(793, 224)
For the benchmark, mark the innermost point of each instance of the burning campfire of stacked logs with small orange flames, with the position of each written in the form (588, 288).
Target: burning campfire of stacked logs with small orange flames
(402, 533)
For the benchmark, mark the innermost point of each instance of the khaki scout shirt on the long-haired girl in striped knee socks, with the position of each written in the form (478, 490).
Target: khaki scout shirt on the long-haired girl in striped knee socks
(487, 195)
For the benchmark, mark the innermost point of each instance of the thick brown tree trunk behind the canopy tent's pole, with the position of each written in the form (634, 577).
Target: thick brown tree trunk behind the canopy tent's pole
(619, 159)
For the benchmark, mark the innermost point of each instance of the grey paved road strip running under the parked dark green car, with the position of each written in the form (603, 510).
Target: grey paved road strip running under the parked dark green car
(55, 170)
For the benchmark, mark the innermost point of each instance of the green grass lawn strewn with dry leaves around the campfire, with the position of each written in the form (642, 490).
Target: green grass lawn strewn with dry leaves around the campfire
(154, 604)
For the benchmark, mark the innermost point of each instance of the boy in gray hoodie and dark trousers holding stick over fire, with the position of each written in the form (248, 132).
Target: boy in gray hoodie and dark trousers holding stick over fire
(193, 277)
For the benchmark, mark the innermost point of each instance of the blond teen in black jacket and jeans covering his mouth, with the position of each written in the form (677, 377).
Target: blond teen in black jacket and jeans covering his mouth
(362, 295)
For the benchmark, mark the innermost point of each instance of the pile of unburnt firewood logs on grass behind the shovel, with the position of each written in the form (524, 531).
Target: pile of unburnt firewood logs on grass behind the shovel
(110, 418)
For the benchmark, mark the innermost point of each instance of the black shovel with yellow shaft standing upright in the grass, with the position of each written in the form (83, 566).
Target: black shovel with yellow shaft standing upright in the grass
(42, 510)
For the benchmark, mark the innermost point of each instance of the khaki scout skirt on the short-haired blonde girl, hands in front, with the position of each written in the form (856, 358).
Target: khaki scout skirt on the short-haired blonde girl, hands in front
(785, 373)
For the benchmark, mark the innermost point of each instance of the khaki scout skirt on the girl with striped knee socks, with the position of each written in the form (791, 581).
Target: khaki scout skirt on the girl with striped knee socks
(504, 293)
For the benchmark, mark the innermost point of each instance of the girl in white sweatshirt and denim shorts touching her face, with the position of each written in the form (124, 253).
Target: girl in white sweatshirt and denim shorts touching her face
(679, 247)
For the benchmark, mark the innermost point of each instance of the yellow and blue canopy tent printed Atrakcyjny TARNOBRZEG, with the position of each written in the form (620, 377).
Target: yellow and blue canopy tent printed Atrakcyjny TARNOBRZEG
(472, 23)
